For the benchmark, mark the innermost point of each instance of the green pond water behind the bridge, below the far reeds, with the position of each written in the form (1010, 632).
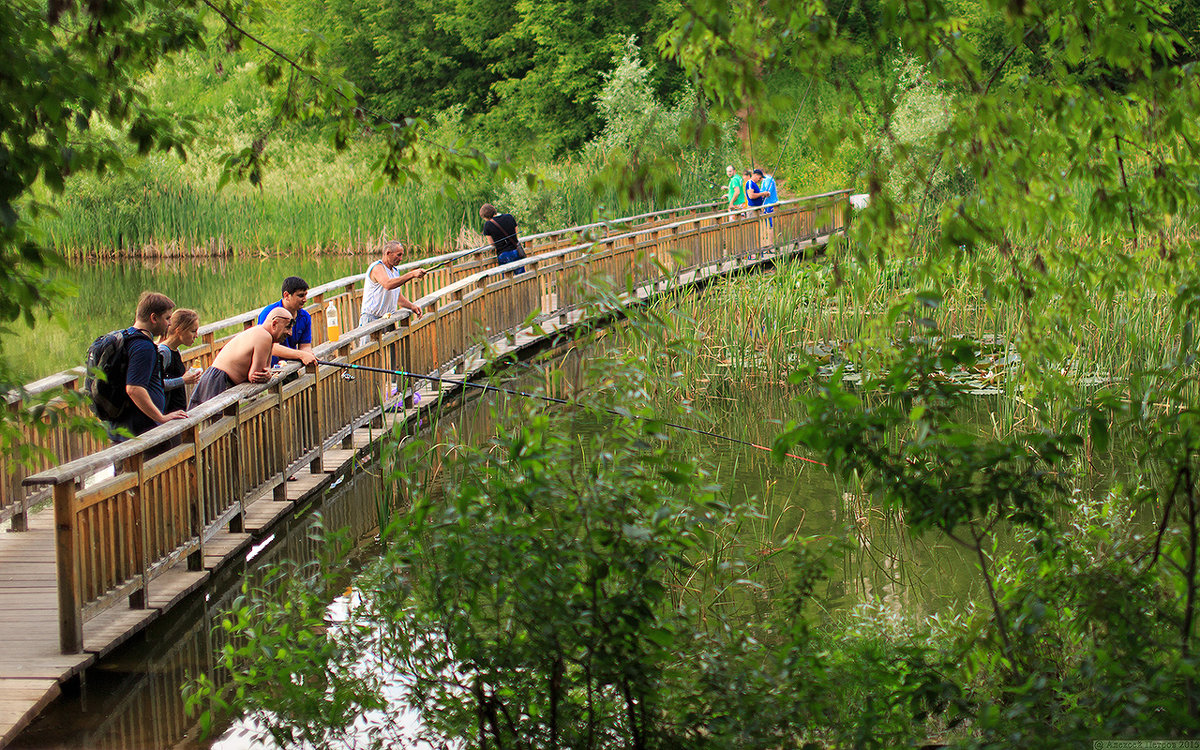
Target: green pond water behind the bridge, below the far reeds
(105, 297)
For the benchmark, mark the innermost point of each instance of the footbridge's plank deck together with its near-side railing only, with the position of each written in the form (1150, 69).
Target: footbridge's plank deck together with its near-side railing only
(45, 617)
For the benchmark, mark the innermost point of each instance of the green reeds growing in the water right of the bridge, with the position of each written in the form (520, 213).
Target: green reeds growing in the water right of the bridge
(759, 329)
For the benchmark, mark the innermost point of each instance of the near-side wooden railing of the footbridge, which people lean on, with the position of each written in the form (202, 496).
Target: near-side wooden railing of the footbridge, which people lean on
(116, 537)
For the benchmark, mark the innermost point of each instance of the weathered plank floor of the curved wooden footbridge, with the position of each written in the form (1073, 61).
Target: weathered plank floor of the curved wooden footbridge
(32, 667)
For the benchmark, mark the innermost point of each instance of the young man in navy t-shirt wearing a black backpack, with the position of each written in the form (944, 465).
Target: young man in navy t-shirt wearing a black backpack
(143, 377)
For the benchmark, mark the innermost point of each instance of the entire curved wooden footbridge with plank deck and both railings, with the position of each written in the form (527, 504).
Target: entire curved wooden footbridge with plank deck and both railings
(105, 538)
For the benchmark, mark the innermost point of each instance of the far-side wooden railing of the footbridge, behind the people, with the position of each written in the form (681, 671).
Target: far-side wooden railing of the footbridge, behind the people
(47, 445)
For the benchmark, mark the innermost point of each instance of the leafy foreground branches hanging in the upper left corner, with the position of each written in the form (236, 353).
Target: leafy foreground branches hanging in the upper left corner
(73, 95)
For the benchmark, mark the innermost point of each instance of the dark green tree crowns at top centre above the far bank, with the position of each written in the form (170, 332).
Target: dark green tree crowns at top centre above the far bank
(530, 73)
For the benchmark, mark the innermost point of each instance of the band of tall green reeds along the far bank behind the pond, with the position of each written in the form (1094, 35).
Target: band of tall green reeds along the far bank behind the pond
(316, 201)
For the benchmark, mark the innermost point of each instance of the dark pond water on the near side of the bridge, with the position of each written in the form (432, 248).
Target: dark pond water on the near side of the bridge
(133, 698)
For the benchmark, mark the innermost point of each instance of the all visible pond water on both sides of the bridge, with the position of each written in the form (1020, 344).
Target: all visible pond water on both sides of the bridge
(133, 698)
